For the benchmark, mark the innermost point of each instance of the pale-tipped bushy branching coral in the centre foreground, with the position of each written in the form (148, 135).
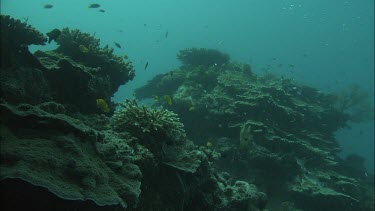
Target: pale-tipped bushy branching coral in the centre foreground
(148, 123)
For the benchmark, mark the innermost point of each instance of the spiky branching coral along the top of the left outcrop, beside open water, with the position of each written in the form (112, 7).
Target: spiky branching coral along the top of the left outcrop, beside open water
(73, 41)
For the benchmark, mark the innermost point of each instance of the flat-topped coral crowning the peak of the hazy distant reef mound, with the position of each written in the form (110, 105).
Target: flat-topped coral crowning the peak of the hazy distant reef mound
(202, 56)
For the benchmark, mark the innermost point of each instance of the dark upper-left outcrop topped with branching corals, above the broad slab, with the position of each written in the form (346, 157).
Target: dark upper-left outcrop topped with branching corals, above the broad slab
(67, 75)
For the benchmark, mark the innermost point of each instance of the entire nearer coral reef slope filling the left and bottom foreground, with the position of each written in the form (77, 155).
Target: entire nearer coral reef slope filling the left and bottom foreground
(61, 148)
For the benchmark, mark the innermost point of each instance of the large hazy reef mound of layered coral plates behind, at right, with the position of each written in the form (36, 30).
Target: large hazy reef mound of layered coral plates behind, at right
(269, 130)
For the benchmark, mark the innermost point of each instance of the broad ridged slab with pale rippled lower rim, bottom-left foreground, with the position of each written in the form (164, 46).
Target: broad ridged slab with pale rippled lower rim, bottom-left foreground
(58, 152)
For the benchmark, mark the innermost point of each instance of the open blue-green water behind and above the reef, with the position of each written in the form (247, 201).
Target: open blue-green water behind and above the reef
(325, 44)
